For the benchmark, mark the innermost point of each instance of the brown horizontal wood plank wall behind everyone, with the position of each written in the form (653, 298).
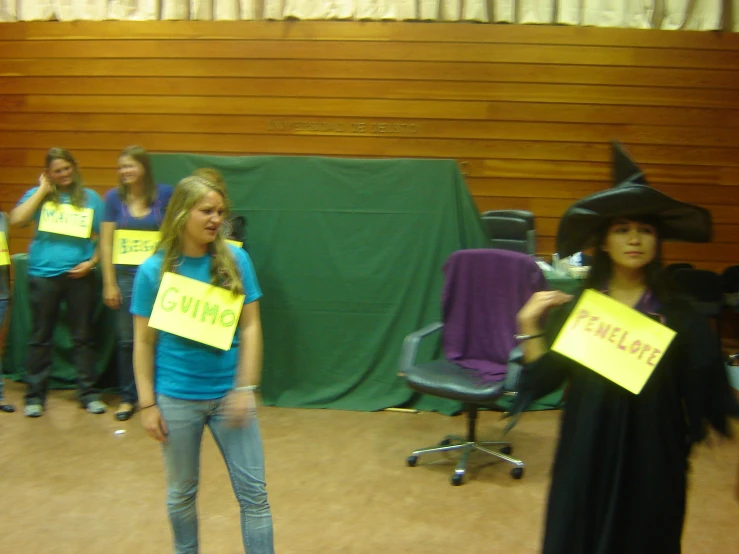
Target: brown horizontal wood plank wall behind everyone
(528, 111)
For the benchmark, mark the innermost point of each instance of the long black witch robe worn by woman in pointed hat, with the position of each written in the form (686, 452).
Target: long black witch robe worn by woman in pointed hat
(619, 476)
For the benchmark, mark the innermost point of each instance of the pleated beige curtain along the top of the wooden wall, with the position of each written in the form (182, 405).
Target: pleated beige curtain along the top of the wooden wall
(703, 15)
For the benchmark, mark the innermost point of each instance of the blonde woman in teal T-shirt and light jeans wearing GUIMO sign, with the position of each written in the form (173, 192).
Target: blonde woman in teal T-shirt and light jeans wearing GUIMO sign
(185, 385)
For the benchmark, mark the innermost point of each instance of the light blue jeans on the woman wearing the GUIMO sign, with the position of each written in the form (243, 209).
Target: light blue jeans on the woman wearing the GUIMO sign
(241, 448)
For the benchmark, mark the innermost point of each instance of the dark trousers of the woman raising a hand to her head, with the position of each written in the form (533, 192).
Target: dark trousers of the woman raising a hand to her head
(47, 294)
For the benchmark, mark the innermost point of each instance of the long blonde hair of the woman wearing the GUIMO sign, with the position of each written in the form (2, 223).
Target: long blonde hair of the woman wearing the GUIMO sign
(187, 193)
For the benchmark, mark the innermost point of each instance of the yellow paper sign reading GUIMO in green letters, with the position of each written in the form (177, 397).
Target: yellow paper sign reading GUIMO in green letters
(197, 311)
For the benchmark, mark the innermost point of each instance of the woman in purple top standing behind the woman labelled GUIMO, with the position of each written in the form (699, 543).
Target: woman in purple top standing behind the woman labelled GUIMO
(137, 204)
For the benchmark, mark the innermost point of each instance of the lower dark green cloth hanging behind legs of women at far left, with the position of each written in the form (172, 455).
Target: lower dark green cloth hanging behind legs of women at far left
(63, 372)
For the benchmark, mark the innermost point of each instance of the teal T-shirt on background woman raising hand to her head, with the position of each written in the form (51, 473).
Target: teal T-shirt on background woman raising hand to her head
(52, 254)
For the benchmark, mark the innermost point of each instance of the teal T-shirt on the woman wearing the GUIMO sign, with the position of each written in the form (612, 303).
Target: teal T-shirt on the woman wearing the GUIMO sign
(184, 368)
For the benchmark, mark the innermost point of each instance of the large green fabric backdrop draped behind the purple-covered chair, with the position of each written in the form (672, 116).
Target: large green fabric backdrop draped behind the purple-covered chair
(349, 255)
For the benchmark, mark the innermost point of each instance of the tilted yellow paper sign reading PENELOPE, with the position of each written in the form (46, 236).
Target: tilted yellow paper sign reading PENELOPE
(616, 341)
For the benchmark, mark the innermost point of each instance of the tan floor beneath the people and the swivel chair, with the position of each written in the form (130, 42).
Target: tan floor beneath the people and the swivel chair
(337, 482)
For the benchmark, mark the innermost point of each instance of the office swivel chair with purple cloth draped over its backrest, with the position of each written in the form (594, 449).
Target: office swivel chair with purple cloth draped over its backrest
(483, 291)
